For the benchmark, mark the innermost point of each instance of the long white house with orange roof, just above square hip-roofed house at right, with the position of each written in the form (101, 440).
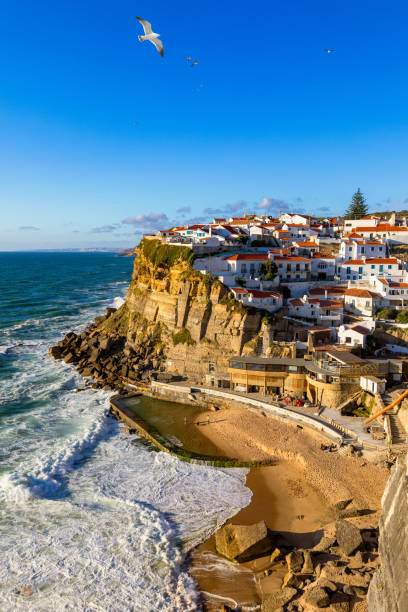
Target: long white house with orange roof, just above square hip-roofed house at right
(367, 268)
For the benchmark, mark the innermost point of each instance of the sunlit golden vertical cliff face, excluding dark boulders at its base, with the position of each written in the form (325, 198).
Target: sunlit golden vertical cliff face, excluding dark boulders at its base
(194, 319)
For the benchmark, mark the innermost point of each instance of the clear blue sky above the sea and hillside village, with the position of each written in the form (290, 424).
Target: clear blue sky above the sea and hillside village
(276, 117)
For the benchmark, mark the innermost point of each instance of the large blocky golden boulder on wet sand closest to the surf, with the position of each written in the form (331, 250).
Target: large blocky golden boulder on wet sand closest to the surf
(242, 542)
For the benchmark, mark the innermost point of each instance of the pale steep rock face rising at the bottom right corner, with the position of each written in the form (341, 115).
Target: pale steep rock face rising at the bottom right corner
(388, 590)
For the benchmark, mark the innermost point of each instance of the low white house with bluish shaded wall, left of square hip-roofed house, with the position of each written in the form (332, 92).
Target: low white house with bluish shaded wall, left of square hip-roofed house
(323, 311)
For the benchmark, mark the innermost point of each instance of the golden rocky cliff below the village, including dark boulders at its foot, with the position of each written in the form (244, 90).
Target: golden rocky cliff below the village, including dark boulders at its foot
(174, 318)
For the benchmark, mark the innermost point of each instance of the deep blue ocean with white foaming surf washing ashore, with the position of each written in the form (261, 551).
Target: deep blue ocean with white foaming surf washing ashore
(90, 519)
